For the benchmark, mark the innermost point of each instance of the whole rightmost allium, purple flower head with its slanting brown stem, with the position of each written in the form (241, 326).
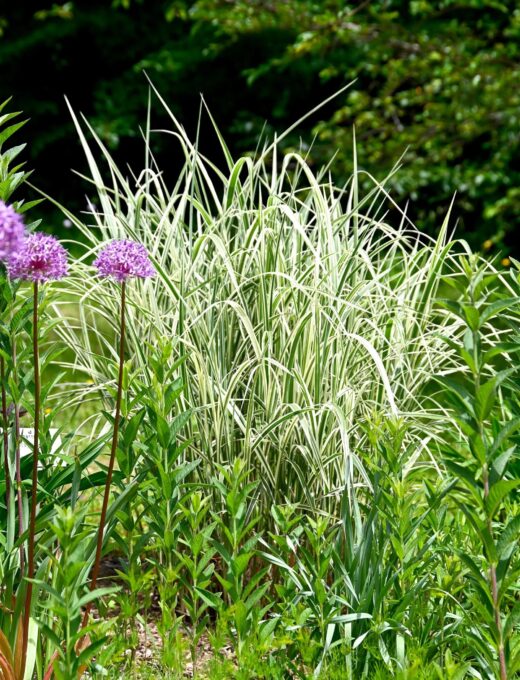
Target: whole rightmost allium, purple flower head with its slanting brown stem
(120, 260)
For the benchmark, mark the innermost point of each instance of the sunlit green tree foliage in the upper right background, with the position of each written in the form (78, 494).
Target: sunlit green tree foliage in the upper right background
(438, 79)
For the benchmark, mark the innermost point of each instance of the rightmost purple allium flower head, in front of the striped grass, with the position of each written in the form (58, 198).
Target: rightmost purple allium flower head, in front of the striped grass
(124, 259)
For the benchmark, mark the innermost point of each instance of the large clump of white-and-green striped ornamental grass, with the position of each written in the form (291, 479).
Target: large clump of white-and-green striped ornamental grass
(300, 310)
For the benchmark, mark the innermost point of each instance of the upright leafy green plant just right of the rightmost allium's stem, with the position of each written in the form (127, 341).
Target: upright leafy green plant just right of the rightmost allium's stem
(173, 540)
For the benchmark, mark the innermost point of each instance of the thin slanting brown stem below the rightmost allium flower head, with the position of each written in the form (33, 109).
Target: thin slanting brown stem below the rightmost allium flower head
(117, 416)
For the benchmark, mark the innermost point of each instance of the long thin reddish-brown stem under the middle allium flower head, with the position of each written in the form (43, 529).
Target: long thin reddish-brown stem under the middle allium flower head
(34, 487)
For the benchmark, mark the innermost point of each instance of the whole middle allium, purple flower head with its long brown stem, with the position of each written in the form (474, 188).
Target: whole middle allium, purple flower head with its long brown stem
(41, 258)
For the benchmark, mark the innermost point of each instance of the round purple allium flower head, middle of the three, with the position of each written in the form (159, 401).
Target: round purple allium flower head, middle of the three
(41, 258)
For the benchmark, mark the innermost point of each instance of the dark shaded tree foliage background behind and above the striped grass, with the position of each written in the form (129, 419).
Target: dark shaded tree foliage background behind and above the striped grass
(439, 80)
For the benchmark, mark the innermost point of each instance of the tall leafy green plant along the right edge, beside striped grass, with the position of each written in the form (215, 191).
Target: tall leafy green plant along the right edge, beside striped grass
(482, 460)
